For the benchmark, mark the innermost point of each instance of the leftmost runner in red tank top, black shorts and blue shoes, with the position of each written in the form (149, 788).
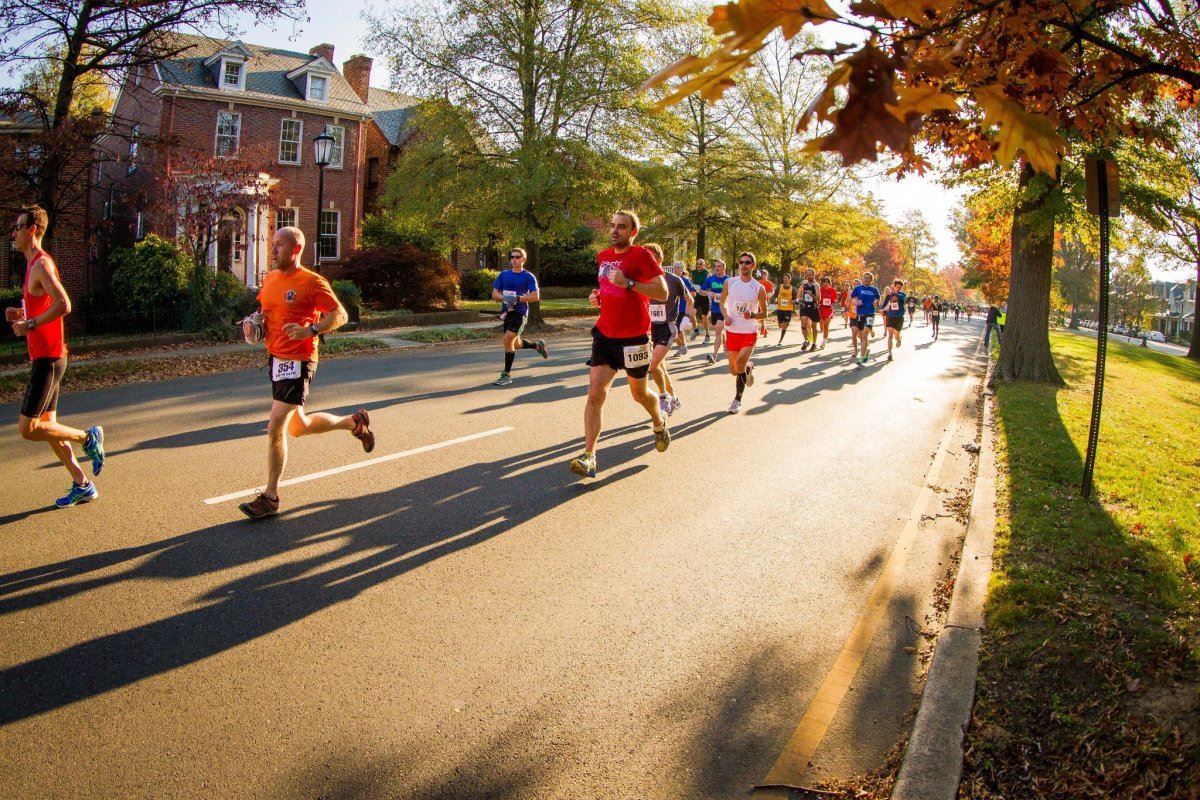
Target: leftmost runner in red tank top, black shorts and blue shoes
(44, 304)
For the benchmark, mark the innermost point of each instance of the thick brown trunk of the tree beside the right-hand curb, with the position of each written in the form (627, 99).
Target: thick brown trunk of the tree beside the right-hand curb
(1025, 345)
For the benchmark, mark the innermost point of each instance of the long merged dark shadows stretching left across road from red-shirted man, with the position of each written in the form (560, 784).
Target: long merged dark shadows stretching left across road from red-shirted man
(382, 536)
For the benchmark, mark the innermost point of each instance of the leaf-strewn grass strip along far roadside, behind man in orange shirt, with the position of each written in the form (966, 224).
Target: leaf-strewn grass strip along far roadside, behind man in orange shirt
(105, 375)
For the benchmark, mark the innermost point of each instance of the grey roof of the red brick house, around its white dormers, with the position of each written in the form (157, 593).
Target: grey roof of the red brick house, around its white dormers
(267, 75)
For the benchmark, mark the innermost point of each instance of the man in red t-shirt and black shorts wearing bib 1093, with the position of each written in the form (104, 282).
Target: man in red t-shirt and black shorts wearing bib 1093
(629, 278)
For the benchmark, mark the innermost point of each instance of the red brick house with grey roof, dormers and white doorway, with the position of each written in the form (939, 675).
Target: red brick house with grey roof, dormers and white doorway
(230, 99)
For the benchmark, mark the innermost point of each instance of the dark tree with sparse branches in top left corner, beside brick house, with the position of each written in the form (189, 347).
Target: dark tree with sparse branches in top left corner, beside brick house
(92, 43)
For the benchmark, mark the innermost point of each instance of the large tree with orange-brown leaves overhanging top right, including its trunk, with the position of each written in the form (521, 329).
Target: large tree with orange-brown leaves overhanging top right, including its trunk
(982, 80)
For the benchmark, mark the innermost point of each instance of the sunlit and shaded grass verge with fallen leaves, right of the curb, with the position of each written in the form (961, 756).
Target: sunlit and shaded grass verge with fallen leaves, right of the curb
(1089, 679)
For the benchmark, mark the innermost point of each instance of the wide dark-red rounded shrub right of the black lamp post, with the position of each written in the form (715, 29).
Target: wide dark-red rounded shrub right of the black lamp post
(404, 278)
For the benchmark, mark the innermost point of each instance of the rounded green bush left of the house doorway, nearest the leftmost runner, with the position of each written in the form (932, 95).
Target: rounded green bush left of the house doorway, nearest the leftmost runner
(153, 274)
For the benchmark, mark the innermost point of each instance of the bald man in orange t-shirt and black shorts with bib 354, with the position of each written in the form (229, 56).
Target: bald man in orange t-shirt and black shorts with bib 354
(298, 306)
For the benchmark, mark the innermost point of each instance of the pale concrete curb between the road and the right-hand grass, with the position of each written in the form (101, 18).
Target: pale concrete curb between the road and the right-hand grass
(933, 761)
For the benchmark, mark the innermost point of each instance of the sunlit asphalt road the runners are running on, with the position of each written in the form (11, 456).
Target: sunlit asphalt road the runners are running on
(472, 621)
